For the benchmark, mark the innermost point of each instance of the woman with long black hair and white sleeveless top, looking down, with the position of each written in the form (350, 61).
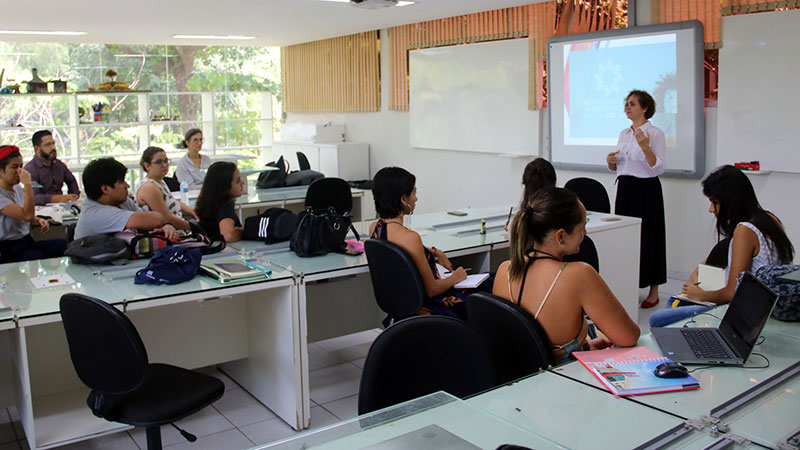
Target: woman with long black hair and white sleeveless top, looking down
(756, 239)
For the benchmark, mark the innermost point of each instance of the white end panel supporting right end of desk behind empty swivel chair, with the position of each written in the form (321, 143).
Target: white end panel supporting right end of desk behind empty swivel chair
(275, 371)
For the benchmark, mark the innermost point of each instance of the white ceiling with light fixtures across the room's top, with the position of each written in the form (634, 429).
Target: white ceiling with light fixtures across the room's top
(273, 22)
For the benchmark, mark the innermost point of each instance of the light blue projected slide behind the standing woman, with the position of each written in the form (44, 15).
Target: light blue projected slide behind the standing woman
(599, 74)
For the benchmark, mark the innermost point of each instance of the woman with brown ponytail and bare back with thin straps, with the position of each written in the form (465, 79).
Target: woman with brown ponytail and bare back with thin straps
(560, 294)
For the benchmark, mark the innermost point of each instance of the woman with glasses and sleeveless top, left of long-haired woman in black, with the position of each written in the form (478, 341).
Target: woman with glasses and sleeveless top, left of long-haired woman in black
(154, 195)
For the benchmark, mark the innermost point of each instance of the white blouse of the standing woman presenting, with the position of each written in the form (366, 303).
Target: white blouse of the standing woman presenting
(631, 159)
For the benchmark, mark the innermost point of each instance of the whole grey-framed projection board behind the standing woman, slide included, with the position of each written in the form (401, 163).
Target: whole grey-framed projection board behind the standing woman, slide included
(589, 75)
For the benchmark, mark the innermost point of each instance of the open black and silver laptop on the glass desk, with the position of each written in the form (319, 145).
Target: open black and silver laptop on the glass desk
(732, 342)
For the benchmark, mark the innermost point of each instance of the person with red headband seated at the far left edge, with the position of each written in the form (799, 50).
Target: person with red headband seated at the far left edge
(17, 213)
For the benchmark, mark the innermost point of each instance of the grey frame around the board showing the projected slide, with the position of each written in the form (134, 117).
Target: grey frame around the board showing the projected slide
(698, 103)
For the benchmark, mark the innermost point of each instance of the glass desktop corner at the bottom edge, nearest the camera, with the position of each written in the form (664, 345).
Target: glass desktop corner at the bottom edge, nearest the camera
(435, 421)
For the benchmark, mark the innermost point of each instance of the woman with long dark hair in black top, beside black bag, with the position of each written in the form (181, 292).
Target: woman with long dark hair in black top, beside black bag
(215, 204)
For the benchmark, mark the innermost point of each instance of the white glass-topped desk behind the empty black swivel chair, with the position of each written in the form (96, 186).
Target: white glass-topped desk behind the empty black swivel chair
(250, 329)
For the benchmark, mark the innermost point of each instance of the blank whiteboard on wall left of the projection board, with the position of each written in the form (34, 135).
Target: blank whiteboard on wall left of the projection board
(473, 98)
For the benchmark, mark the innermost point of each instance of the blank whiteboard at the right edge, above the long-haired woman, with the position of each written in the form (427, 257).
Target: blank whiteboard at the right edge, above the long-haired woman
(759, 98)
